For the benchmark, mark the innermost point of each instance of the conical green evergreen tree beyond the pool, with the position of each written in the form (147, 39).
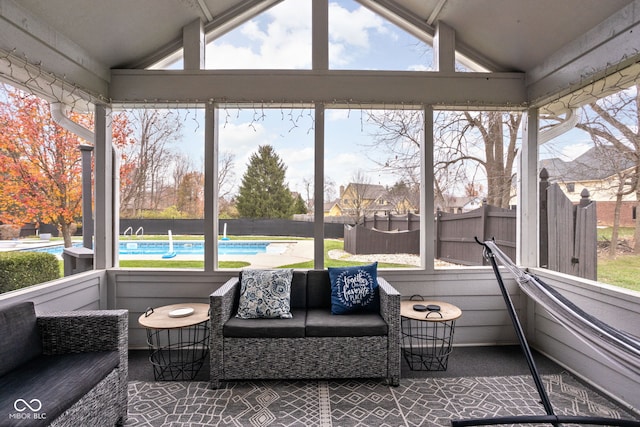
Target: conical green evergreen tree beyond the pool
(263, 192)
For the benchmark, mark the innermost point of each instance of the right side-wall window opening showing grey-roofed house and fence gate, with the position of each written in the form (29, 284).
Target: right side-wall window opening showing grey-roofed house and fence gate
(590, 179)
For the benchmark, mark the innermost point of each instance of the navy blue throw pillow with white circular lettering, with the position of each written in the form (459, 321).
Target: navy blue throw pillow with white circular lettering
(354, 289)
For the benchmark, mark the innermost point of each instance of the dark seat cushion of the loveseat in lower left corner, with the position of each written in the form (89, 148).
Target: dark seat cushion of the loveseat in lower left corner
(57, 382)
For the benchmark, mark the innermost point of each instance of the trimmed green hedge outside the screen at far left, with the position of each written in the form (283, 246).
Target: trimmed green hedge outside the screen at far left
(22, 269)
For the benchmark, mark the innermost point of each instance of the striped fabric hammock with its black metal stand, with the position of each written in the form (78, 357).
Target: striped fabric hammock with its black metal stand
(619, 347)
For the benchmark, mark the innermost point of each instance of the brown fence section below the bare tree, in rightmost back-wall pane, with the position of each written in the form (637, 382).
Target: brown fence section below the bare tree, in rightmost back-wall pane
(456, 233)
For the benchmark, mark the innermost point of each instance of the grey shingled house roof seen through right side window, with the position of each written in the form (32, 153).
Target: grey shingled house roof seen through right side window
(600, 162)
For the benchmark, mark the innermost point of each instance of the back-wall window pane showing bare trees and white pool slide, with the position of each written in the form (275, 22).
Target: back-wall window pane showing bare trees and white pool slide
(162, 188)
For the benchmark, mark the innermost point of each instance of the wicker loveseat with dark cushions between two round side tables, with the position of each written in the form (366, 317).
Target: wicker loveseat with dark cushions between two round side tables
(313, 344)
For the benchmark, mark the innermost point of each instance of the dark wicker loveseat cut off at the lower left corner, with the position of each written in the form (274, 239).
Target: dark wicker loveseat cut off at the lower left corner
(63, 369)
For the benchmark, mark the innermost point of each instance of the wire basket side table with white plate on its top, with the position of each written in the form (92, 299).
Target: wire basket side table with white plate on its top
(178, 339)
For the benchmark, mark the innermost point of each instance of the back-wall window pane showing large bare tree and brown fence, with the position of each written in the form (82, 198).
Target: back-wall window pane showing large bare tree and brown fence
(475, 159)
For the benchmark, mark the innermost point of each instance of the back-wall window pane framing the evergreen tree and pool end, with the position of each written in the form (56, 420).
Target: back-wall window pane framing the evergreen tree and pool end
(265, 186)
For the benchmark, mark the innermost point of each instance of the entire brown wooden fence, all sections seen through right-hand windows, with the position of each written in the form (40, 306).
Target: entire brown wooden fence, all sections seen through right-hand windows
(568, 239)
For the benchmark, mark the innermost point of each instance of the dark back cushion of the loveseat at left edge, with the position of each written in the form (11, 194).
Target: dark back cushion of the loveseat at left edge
(19, 337)
